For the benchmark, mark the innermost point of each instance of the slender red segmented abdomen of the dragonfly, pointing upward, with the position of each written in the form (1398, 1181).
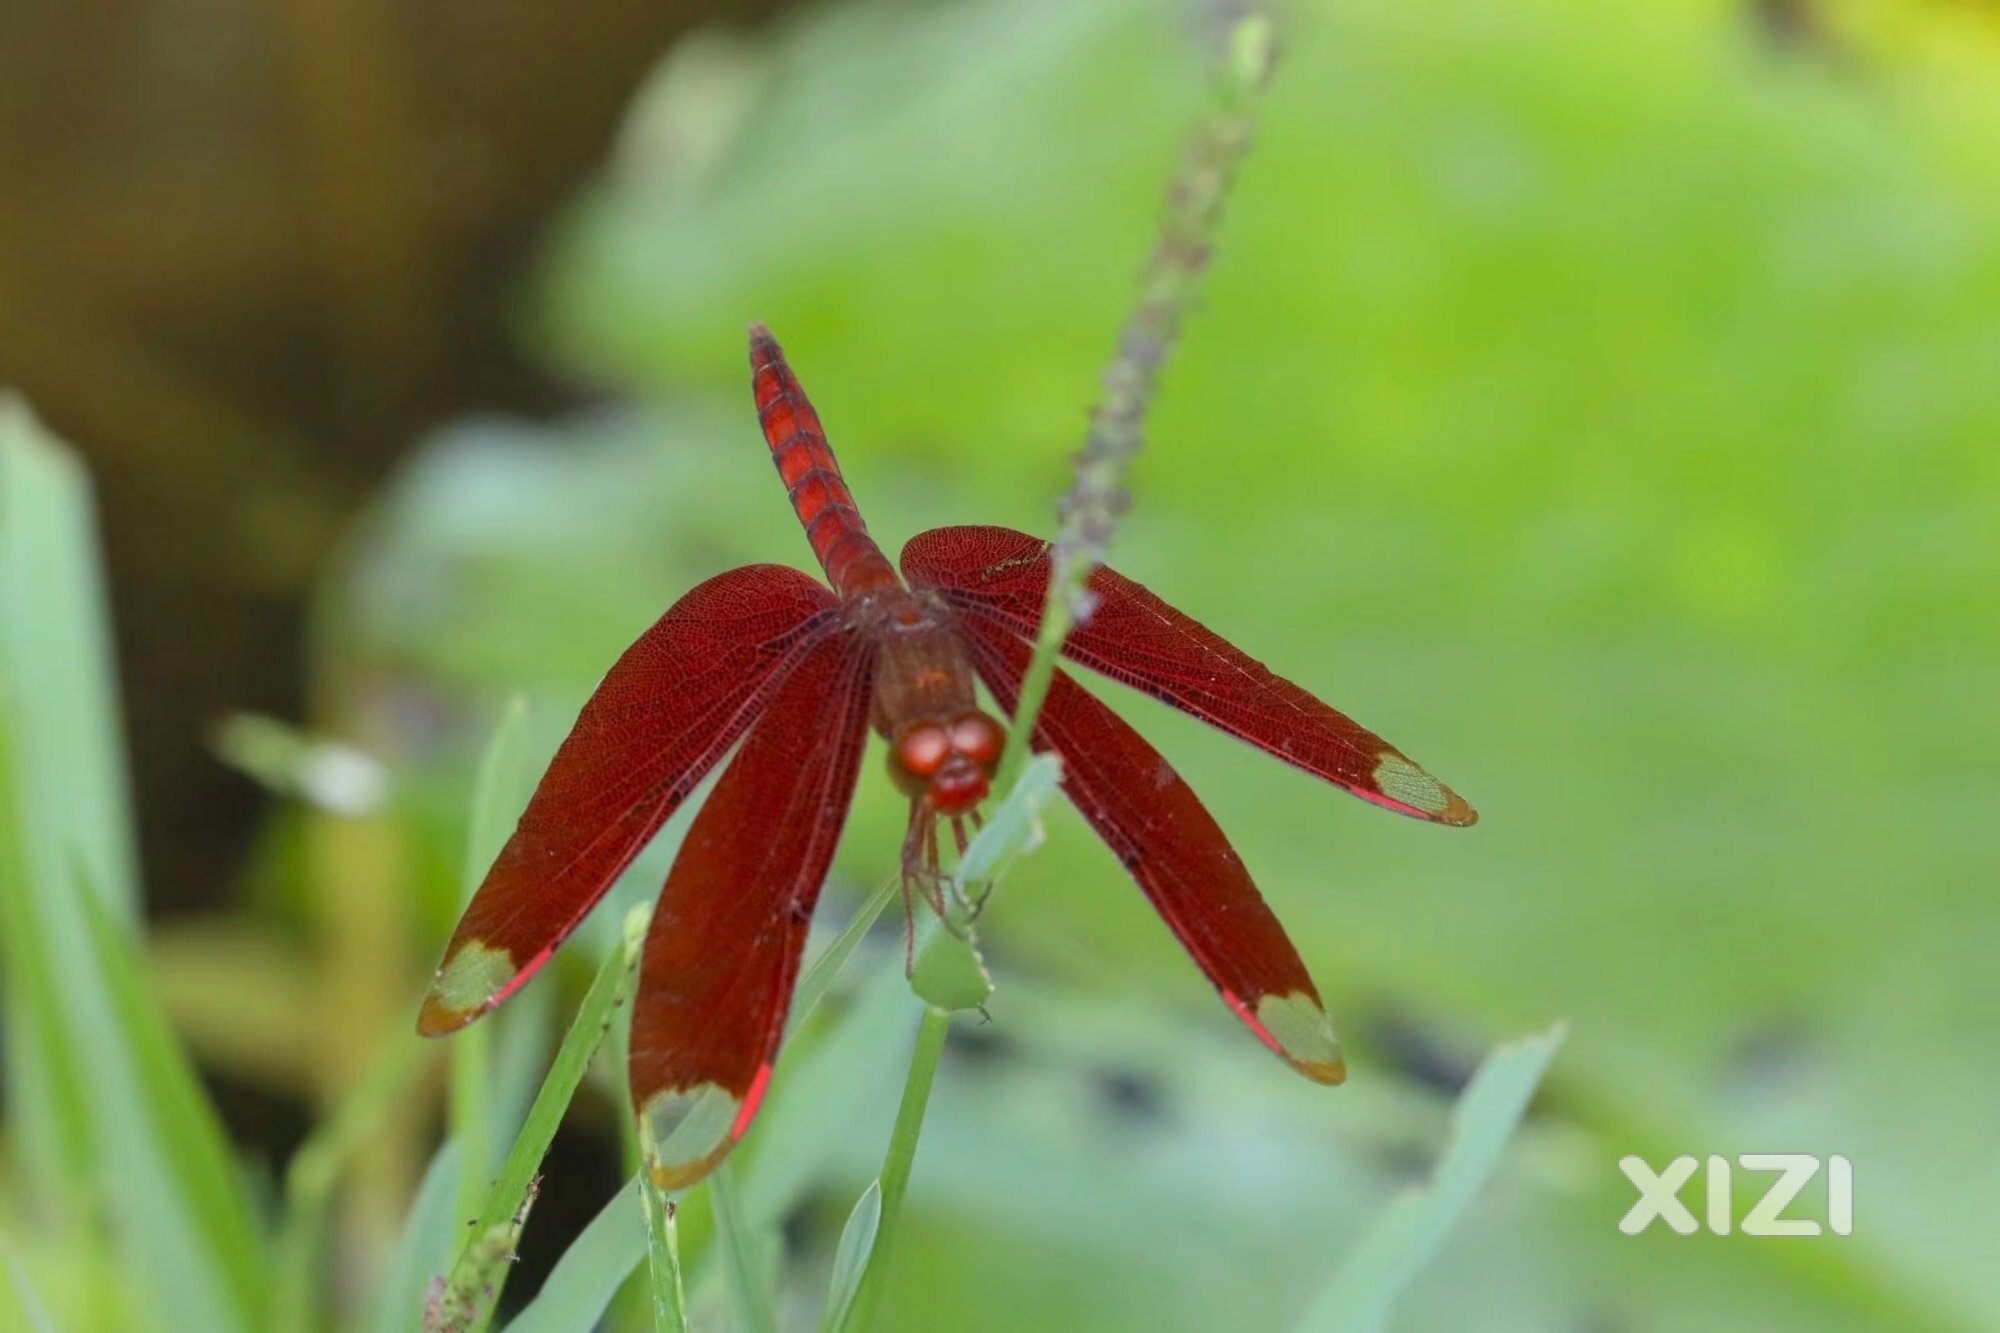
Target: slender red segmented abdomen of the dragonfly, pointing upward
(811, 473)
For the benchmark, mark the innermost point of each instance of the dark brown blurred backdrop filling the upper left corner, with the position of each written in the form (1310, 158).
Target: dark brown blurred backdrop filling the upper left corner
(249, 251)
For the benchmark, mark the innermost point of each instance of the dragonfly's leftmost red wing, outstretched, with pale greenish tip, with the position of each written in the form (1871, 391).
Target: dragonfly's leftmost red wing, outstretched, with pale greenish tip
(665, 714)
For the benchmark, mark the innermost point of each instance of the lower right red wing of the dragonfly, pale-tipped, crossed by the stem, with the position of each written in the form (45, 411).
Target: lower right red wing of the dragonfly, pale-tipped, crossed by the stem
(1173, 848)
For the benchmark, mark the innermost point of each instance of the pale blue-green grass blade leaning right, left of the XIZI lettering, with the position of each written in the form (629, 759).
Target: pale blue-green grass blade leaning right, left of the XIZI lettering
(1415, 1226)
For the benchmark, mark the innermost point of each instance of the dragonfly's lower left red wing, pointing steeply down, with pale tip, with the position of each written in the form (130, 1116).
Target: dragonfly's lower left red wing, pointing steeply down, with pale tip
(725, 942)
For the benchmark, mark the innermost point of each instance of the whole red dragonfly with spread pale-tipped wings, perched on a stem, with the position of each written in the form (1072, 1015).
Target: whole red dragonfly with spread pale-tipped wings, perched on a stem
(793, 676)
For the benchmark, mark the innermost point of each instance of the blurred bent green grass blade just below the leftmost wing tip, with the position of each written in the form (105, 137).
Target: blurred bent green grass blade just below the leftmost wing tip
(315, 1172)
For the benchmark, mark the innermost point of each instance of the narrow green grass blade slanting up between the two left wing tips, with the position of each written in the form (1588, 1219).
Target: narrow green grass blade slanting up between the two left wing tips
(479, 1274)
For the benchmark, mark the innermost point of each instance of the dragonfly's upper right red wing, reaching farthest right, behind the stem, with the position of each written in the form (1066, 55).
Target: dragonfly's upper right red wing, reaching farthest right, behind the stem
(1137, 639)
